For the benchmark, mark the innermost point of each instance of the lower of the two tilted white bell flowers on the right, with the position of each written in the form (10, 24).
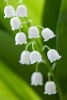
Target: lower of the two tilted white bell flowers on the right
(53, 55)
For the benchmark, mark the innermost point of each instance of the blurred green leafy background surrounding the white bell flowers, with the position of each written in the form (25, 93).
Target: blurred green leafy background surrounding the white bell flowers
(14, 77)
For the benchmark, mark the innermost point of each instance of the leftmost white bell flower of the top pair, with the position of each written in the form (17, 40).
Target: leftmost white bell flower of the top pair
(9, 11)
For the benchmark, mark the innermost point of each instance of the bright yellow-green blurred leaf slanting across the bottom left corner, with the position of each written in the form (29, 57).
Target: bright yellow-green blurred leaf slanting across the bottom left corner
(12, 87)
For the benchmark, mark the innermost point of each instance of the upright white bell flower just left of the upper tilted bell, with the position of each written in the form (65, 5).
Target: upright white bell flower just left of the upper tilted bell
(33, 32)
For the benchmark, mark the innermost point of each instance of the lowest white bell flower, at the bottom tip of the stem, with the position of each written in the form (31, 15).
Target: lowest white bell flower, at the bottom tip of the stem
(50, 88)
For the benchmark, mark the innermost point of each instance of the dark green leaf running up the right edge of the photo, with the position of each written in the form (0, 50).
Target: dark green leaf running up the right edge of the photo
(61, 68)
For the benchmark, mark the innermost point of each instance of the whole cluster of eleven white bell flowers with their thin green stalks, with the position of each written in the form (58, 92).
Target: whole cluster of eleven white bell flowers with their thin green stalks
(34, 56)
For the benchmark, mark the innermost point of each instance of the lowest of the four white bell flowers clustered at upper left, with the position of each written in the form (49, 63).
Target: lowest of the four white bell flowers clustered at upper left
(20, 38)
